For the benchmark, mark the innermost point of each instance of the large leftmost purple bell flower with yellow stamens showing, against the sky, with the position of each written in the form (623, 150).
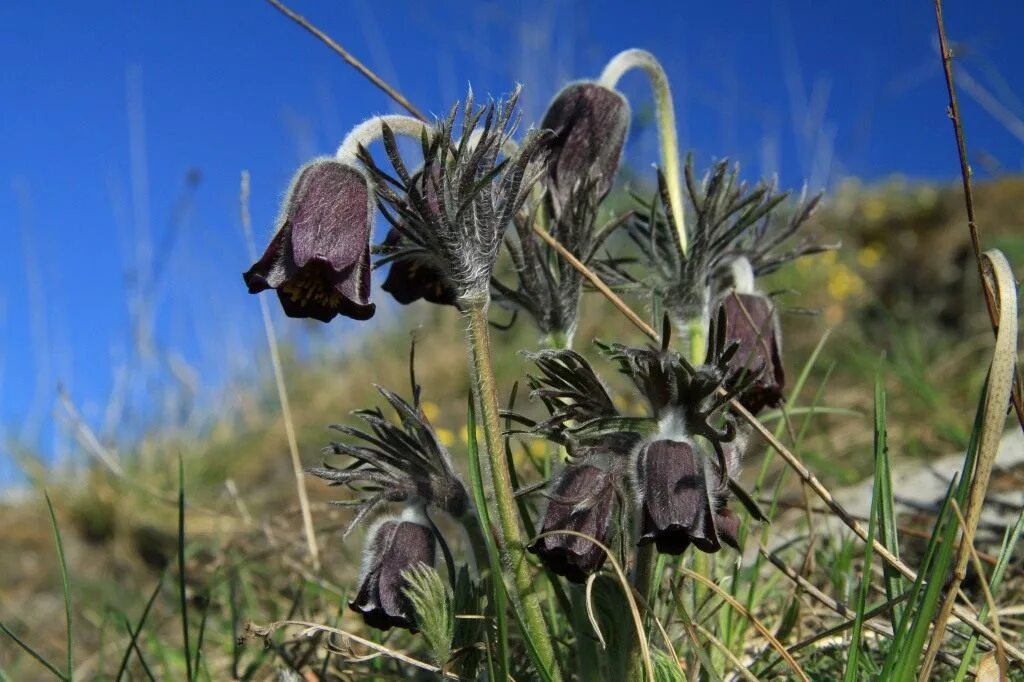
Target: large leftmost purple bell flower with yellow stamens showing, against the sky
(319, 262)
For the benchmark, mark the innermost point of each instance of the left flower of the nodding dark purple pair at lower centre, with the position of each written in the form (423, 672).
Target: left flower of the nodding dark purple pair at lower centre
(583, 502)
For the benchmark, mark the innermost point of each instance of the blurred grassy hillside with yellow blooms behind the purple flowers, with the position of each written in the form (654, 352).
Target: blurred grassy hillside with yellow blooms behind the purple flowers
(904, 285)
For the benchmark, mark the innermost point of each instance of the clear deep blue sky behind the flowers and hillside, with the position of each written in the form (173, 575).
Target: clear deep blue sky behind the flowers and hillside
(107, 107)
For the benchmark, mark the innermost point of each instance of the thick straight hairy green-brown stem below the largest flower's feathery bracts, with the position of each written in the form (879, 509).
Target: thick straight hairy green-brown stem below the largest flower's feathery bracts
(499, 494)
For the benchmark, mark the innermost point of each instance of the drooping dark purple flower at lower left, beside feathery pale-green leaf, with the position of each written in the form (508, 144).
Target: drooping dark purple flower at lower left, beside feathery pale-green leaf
(394, 547)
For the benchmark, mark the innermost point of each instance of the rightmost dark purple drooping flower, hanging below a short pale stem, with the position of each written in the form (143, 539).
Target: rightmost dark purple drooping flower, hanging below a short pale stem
(752, 322)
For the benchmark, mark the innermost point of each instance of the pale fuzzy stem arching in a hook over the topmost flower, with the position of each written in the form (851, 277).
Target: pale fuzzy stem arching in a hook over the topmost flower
(617, 68)
